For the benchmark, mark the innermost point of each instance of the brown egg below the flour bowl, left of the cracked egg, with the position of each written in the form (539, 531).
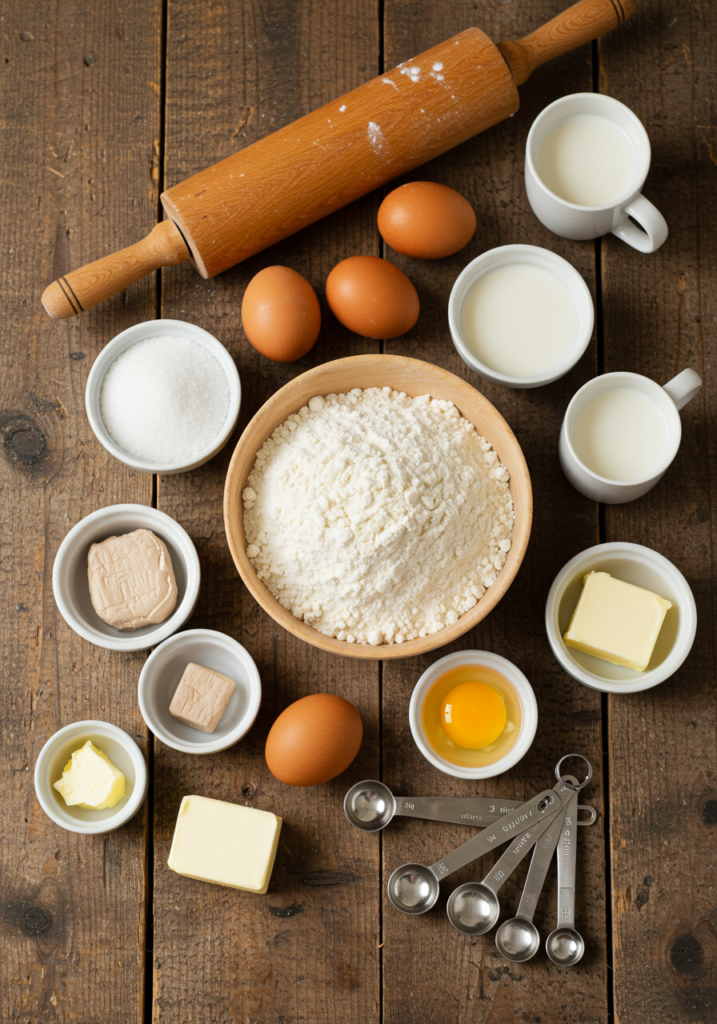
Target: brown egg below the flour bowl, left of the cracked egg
(315, 740)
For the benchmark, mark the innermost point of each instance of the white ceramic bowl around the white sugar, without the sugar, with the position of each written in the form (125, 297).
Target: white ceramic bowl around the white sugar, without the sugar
(141, 332)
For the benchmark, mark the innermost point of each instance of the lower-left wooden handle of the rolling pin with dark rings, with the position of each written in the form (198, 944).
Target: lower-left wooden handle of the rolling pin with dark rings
(92, 285)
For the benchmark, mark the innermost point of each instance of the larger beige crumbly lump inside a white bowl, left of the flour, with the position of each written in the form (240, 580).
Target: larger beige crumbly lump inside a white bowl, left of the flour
(132, 580)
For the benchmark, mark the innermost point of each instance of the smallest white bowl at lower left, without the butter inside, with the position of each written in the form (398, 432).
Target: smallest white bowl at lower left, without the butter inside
(123, 753)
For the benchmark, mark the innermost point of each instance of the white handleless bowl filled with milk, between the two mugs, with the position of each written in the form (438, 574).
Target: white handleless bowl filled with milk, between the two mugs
(521, 316)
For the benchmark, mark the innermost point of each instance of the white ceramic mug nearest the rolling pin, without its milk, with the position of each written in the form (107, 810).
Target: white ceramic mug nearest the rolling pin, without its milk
(573, 222)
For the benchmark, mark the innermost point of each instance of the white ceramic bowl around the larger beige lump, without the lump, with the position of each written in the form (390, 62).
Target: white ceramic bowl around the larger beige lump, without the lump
(71, 586)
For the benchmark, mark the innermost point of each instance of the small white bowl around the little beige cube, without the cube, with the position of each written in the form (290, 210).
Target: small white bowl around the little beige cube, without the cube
(164, 669)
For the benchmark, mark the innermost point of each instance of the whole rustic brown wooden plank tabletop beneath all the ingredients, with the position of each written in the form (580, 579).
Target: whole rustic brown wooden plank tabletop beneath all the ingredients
(105, 104)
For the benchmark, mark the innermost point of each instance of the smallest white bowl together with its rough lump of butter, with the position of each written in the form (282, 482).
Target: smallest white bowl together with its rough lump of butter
(91, 778)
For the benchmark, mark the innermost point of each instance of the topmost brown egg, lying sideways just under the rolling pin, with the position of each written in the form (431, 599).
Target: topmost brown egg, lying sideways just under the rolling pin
(427, 221)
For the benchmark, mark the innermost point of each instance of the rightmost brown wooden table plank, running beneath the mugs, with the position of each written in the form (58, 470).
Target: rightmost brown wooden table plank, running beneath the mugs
(660, 316)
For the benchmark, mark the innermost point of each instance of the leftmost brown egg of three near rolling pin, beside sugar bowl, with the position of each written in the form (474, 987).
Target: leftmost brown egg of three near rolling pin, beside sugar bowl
(281, 314)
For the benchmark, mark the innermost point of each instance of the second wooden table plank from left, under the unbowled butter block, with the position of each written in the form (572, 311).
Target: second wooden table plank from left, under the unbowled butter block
(308, 951)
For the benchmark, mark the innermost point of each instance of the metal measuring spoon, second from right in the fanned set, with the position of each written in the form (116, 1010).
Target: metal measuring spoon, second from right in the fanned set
(518, 940)
